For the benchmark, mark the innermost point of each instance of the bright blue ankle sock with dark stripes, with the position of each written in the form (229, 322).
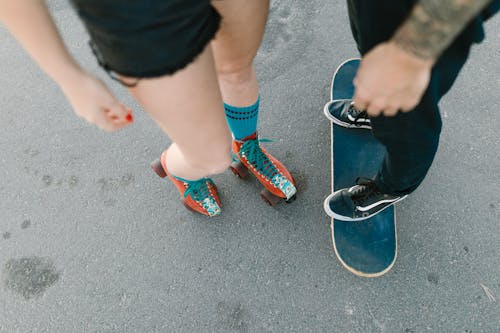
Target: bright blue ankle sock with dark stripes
(242, 120)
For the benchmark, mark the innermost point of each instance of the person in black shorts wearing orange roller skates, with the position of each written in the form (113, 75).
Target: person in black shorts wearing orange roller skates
(191, 84)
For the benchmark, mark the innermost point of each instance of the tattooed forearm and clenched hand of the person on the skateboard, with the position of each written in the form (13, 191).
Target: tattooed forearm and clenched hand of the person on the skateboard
(405, 61)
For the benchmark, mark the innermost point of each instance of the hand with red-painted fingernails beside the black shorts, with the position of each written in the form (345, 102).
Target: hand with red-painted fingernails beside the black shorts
(92, 101)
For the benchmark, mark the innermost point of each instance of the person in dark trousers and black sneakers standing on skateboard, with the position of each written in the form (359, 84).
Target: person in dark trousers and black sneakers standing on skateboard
(412, 53)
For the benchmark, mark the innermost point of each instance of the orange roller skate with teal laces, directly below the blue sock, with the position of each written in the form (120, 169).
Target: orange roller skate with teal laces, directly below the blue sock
(248, 155)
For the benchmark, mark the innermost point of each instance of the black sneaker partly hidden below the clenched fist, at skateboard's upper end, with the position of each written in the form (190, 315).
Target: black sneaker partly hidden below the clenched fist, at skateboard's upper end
(343, 113)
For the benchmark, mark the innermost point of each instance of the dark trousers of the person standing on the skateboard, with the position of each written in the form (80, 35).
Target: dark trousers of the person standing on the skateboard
(412, 138)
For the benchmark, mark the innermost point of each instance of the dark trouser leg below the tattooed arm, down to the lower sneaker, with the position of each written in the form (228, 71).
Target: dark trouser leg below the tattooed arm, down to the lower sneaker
(412, 138)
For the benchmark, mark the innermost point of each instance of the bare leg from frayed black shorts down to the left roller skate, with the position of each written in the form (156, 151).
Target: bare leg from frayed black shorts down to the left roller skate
(188, 107)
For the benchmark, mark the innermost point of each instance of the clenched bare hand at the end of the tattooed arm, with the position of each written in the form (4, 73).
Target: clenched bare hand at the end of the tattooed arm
(389, 80)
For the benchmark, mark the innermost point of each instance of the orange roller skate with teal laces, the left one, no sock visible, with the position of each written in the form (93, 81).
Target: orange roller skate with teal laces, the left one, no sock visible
(199, 196)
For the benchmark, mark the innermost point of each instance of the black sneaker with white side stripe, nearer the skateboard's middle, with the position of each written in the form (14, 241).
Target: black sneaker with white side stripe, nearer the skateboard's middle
(359, 202)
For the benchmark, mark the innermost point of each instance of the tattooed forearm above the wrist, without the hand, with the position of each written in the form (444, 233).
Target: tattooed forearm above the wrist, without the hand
(434, 24)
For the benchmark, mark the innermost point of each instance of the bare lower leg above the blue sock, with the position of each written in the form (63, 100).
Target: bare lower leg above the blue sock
(235, 46)
